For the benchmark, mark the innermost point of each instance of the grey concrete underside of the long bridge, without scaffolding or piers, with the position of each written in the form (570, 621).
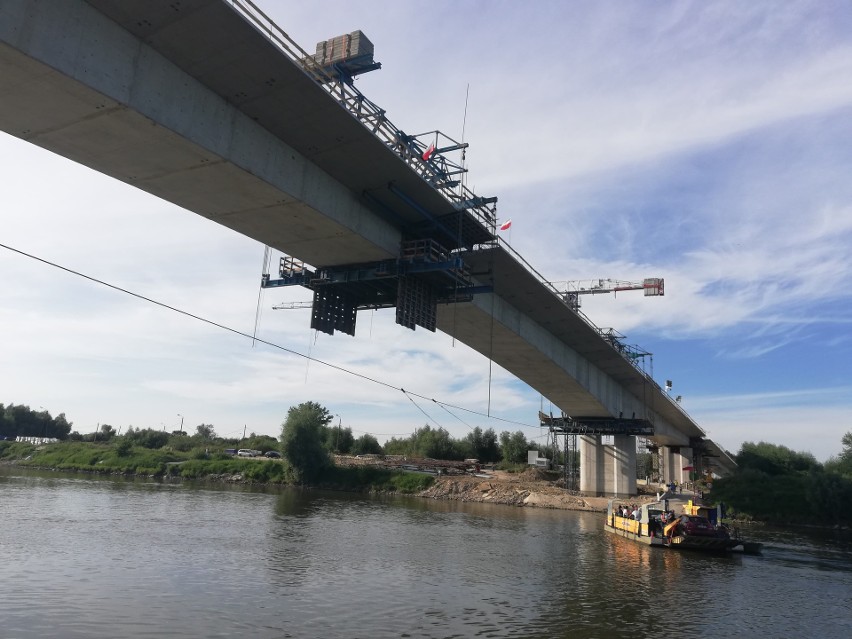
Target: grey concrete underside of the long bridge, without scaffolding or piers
(190, 102)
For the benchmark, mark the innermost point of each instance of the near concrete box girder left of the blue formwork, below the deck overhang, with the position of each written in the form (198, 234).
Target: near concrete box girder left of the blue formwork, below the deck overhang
(135, 116)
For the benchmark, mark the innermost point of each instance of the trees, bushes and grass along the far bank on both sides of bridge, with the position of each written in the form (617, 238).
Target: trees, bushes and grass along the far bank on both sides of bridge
(773, 483)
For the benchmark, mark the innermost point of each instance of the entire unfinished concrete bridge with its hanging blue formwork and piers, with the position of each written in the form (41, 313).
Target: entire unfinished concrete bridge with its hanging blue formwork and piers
(207, 104)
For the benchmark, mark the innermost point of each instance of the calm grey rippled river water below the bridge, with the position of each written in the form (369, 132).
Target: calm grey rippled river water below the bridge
(103, 557)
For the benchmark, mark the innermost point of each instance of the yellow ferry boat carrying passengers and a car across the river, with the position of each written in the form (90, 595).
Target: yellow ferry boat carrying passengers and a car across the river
(698, 527)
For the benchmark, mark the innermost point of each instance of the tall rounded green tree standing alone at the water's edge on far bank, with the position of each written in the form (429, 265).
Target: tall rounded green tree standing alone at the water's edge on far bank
(303, 441)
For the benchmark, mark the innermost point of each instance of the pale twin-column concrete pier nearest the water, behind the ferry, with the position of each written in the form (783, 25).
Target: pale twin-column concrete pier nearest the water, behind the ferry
(608, 469)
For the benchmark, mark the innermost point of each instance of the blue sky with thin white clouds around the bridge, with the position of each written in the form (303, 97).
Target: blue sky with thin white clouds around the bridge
(706, 143)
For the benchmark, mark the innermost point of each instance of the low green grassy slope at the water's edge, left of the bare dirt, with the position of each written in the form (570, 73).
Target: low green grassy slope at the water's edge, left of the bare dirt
(106, 458)
